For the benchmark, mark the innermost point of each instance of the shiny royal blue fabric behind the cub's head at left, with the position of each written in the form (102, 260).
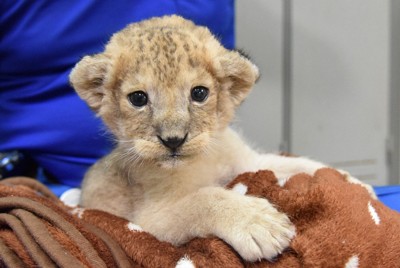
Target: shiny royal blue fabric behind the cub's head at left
(40, 41)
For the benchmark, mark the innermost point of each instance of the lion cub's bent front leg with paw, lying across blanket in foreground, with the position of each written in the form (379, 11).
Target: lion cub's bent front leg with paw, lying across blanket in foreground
(251, 225)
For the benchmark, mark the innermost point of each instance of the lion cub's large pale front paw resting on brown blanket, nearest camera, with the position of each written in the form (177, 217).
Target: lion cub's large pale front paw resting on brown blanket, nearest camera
(258, 231)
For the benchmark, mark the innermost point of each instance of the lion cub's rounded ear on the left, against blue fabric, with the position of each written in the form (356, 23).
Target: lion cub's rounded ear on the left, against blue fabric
(87, 78)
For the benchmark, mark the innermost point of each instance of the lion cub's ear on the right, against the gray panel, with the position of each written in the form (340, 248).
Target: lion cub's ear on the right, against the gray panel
(239, 75)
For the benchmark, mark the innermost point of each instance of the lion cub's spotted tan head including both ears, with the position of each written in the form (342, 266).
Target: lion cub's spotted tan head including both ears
(164, 87)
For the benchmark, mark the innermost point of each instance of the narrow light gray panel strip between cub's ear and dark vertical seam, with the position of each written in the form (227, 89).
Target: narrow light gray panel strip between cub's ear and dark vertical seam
(259, 32)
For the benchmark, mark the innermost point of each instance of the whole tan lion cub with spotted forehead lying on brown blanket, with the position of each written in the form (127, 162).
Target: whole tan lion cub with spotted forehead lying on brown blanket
(168, 90)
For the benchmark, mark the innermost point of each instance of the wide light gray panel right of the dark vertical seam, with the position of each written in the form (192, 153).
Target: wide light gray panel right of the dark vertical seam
(341, 84)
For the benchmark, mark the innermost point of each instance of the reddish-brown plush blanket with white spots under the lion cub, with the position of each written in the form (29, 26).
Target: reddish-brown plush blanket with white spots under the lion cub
(337, 223)
